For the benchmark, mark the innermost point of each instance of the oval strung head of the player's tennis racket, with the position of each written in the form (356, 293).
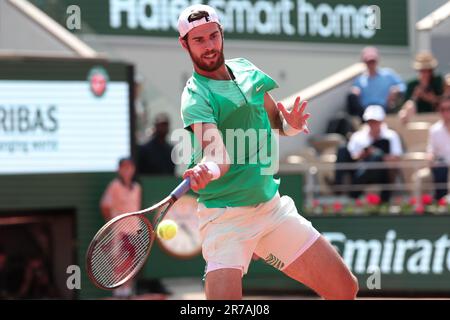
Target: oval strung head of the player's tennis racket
(120, 250)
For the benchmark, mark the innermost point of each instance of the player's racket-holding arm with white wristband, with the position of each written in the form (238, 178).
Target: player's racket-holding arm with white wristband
(215, 162)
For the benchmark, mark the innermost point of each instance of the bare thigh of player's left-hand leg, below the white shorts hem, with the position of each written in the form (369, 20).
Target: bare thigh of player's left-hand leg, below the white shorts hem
(224, 284)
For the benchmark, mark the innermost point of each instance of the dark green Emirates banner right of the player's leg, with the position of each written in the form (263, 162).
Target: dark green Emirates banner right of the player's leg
(402, 254)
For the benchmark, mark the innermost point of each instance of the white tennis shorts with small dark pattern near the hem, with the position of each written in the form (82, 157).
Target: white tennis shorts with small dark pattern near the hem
(272, 230)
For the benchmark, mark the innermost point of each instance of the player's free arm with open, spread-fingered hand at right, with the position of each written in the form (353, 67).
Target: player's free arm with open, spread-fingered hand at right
(287, 122)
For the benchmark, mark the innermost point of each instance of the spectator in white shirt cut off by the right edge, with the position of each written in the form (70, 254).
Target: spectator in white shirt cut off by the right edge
(439, 147)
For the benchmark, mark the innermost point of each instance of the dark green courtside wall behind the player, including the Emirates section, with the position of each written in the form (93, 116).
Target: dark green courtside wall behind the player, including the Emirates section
(413, 251)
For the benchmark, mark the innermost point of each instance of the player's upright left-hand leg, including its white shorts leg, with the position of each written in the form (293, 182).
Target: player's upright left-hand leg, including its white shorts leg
(228, 242)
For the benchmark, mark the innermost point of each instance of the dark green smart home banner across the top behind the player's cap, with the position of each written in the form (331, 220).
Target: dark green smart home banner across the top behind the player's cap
(324, 21)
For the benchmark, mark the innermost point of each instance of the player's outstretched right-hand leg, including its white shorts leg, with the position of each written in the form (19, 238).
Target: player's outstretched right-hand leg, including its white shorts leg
(296, 248)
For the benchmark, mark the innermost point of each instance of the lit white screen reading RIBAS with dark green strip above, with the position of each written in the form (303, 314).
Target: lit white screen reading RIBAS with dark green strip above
(63, 116)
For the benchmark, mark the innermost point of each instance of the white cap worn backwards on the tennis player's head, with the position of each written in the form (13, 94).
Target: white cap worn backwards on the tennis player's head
(184, 25)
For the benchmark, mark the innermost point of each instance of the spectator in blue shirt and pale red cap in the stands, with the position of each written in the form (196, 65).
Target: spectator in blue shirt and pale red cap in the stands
(377, 86)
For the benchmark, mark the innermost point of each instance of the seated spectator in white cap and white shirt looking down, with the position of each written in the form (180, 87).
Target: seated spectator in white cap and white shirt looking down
(373, 143)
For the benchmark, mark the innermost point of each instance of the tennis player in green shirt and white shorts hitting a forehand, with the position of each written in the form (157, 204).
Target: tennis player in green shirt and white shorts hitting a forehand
(240, 210)
